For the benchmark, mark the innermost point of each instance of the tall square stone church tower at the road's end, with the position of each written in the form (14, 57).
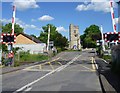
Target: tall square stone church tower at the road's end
(74, 37)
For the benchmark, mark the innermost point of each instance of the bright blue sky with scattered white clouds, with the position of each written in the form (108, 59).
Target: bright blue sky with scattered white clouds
(32, 15)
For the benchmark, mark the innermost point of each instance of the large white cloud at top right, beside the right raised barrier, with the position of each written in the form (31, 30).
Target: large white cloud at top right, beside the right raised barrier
(103, 5)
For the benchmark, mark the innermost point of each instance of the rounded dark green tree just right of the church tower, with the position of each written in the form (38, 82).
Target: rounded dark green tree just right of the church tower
(91, 34)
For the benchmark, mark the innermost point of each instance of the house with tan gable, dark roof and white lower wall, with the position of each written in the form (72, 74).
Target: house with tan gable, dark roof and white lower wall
(29, 43)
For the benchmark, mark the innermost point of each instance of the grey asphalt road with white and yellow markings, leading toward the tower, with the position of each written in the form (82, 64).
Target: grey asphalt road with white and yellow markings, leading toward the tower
(68, 71)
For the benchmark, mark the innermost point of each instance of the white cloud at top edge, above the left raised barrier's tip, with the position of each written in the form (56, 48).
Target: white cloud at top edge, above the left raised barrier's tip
(25, 4)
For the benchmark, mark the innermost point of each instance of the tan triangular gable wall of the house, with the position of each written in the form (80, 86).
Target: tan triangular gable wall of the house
(20, 39)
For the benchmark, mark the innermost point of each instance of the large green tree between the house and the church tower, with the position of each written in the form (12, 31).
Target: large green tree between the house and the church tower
(59, 40)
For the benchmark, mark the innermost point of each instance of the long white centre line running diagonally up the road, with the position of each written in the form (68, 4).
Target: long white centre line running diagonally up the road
(35, 81)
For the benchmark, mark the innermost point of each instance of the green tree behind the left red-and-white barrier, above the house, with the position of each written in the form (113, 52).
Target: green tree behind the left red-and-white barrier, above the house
(8, 28)
